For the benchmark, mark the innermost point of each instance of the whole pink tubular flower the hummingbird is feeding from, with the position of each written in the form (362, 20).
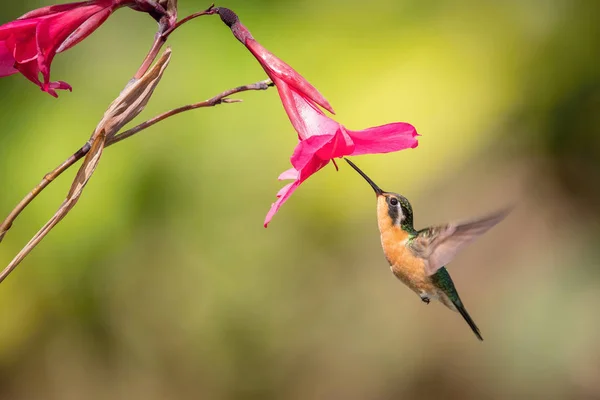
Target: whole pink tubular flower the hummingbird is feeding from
(321, 138)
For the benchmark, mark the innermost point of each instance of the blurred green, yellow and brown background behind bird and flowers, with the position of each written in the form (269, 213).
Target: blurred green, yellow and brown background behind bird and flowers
(163, 284)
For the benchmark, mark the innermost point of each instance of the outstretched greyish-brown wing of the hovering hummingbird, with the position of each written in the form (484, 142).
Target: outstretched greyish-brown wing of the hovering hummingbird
(438, 245)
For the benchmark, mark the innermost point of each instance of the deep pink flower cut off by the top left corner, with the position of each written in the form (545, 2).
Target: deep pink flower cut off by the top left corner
(28, 44)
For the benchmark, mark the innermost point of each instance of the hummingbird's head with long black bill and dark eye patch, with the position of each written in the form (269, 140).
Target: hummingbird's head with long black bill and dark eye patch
(393, 209)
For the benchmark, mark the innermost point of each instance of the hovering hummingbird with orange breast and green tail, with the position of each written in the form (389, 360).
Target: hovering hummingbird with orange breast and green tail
(419, 257)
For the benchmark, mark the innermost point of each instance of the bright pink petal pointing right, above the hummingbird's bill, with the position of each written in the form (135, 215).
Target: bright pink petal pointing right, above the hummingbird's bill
(384, 138)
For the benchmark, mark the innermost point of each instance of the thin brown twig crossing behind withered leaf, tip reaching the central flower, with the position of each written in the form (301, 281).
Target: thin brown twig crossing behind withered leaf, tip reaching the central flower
(79, 154)
